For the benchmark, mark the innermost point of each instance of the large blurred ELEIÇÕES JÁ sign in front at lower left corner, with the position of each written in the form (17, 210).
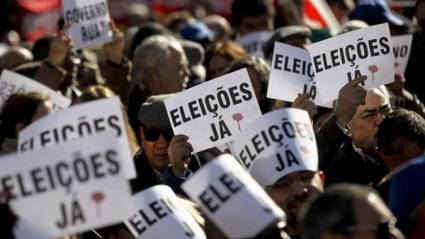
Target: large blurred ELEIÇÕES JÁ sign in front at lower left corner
(67, 189)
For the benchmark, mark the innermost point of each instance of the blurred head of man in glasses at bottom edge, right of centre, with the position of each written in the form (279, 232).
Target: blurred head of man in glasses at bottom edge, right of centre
(348, 211)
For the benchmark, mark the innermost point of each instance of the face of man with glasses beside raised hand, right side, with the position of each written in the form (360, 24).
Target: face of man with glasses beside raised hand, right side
(367, 119)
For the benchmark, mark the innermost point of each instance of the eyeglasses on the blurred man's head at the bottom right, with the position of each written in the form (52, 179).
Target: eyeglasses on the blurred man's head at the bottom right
(382, 228)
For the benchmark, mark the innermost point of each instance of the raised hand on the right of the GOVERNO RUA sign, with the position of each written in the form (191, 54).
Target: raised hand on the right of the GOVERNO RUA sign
(114, 50)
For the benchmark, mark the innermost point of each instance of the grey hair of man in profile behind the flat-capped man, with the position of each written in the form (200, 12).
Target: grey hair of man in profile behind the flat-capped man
(152, 53)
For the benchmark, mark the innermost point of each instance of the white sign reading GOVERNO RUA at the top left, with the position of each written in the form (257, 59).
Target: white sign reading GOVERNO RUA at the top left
(89, 20)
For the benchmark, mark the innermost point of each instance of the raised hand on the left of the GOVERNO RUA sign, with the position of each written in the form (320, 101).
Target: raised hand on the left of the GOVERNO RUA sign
(60, 46)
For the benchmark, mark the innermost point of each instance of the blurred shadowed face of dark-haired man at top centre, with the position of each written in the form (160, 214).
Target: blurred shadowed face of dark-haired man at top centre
(251, 24)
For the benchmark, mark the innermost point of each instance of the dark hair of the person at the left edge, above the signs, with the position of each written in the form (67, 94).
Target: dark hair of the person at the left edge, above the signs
(19, 108)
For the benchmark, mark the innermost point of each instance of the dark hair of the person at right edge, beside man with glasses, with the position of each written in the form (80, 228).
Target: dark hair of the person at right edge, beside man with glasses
(401, 122)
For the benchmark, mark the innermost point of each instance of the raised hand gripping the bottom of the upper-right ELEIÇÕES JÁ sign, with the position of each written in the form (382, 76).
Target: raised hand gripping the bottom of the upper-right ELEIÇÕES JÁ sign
(350, 96)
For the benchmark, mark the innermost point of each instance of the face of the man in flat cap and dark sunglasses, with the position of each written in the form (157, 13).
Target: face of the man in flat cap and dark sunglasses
(155, 144)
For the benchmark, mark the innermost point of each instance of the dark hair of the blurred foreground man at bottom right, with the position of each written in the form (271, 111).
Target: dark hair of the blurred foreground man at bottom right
(331, 211)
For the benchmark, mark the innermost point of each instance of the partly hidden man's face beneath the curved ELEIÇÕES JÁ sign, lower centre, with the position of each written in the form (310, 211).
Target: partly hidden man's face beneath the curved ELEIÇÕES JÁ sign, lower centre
(292, 191)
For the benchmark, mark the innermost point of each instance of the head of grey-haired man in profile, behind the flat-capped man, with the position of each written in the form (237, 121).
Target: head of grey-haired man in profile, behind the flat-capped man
(160, 67)
